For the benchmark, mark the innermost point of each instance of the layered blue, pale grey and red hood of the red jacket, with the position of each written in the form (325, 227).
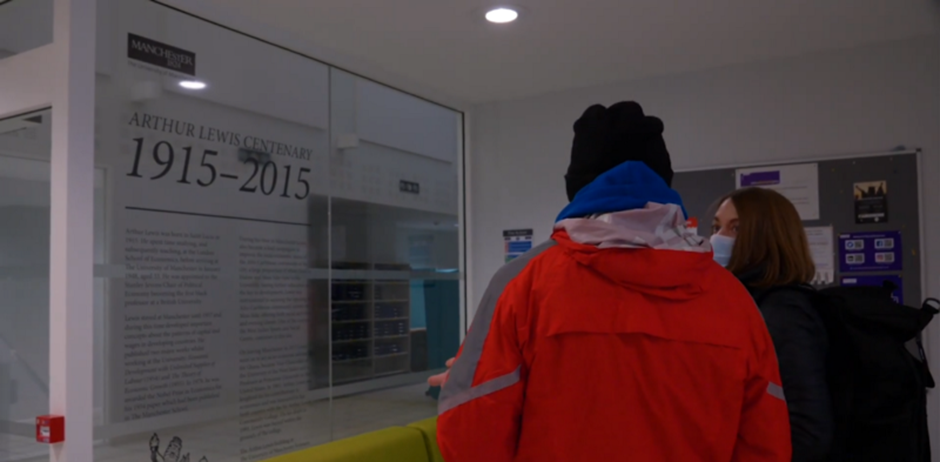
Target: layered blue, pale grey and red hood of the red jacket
(629, 227)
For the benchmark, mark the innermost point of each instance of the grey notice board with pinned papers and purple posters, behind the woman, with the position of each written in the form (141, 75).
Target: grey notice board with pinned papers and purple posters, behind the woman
(852, 225)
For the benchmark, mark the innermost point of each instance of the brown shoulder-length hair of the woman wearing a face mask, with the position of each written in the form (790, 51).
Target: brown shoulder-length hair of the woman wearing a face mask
(770, 238)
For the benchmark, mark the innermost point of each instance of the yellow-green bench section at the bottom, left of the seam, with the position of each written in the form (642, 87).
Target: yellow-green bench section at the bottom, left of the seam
(396, 444)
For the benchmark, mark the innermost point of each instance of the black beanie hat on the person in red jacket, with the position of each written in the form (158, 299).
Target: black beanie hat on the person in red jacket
(607, 137)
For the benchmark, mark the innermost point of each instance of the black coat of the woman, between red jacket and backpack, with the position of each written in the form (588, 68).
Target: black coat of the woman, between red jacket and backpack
(800, 339)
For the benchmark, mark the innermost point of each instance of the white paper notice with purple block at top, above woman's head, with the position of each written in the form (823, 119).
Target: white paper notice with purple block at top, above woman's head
(798, 183)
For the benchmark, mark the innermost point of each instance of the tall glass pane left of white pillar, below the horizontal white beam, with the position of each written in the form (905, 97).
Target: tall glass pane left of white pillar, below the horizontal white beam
(24, 285)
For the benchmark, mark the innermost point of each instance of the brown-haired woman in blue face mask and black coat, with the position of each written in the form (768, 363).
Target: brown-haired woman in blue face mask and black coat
(758, 235)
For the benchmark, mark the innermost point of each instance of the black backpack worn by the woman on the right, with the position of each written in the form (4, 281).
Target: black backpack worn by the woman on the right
(877, 373)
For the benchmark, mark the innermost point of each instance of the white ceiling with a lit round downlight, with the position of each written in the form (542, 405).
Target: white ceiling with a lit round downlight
(561, 44)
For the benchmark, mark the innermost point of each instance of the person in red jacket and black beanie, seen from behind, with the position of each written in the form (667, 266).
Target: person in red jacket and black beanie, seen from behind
(620, 338)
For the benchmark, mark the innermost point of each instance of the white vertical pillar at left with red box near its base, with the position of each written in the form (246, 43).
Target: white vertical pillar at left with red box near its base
(71, 330)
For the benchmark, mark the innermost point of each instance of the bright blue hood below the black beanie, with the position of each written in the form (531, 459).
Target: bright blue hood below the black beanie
(630, 185)
